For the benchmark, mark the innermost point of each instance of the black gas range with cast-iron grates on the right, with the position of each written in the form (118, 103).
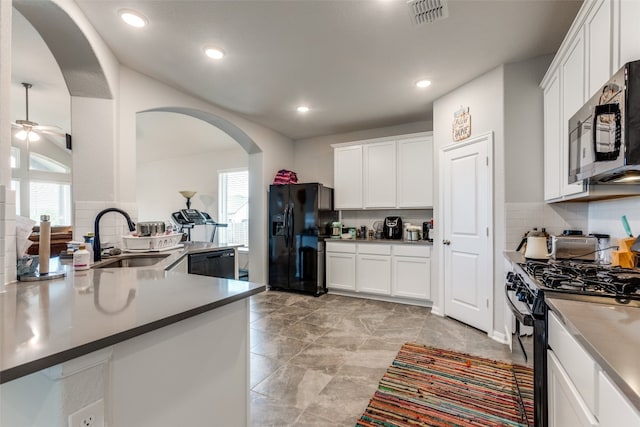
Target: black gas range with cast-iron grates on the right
(531, 282)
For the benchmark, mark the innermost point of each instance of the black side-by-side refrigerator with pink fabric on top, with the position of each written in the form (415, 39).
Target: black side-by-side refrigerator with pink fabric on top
(300, 217)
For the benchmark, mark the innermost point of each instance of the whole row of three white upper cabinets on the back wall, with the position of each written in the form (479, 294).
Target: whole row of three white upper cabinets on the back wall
(394, 172)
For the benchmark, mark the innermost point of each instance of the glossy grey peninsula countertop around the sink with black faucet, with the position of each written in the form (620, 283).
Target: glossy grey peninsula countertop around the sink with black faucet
(49, 322)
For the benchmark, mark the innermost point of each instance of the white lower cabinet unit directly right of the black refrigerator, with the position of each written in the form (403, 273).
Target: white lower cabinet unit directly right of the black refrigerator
(341, 266)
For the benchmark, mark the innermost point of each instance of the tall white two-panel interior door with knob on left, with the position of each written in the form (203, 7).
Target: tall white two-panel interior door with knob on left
(467, 247)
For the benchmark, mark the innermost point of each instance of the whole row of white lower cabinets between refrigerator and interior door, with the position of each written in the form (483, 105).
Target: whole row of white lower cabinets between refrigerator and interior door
(395, 270)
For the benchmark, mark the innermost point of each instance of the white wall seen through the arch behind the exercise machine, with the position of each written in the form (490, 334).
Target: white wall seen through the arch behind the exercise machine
(159, 182)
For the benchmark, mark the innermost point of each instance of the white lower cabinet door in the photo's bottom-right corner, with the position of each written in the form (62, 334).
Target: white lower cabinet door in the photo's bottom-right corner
(614, 409)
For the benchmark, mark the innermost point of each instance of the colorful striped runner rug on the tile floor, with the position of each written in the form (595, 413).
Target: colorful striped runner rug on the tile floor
(427, 386)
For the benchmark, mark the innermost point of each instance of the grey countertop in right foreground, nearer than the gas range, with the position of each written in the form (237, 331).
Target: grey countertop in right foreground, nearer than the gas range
(611, 335)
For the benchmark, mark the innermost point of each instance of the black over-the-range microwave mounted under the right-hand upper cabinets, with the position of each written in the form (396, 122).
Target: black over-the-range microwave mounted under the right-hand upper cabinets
(604, 135)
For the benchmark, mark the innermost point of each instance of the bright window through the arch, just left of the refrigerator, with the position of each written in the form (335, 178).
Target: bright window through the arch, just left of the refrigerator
(233, 206)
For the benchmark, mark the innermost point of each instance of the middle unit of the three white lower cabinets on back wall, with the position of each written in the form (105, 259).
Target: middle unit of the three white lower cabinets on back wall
(373, 267)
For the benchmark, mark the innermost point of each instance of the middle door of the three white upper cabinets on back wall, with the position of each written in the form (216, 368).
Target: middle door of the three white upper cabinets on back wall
(380, 175)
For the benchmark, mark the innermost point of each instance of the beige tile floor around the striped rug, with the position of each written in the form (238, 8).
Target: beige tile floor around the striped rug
(317, 361)
